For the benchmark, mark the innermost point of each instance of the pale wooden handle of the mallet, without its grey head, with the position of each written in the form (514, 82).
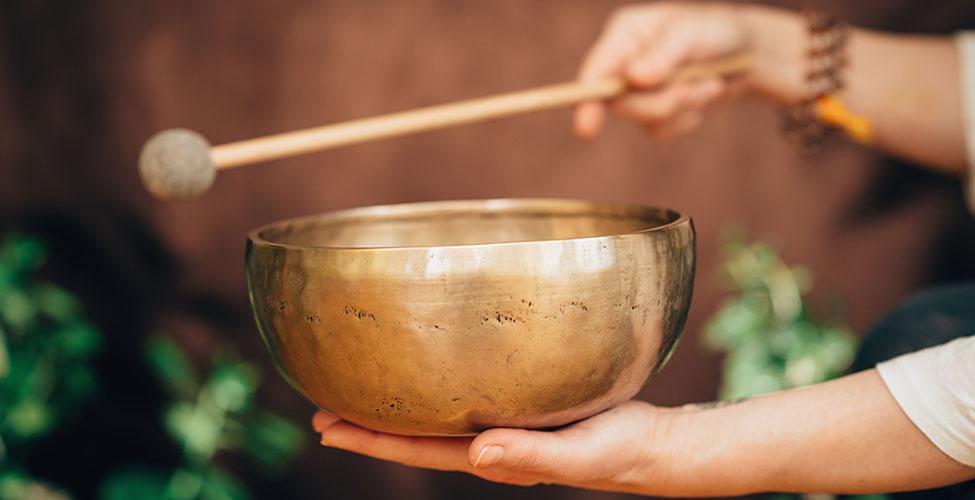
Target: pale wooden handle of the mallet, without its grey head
(275, 146)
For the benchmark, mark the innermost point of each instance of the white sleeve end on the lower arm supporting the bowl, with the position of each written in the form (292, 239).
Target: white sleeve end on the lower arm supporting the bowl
(936, 389)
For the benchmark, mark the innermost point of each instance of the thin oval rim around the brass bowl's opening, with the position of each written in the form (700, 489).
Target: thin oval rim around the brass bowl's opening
(500, 206)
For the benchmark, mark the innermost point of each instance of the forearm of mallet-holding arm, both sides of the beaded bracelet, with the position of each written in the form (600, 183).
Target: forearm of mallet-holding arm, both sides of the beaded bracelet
(907, 87)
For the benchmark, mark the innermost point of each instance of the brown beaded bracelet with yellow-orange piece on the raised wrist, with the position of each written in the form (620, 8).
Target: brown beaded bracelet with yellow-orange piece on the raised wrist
(821, 113)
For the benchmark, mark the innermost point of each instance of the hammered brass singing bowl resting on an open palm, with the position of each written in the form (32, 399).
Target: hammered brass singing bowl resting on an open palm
(447, 318)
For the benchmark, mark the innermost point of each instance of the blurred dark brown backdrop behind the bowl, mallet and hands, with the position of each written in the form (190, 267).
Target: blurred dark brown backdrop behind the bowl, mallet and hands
(83, 84)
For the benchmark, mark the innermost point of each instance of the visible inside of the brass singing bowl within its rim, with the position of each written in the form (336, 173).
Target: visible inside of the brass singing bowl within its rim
(463, 223)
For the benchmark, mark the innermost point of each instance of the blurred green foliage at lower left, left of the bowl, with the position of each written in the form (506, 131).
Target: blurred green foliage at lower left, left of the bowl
(46, 375)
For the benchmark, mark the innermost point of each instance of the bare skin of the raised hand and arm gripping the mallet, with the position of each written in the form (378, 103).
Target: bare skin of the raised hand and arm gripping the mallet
(907, 86)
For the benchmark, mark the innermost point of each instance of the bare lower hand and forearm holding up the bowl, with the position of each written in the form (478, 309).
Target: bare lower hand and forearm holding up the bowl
(844, 436)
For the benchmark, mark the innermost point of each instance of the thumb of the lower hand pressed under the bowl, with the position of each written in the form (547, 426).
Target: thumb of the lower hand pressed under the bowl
(537, 452)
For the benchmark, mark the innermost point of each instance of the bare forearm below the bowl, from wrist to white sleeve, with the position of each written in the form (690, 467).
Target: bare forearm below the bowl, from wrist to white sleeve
(845, 436)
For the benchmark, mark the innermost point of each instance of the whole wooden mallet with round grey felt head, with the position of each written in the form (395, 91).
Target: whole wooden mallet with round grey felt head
(180, 163)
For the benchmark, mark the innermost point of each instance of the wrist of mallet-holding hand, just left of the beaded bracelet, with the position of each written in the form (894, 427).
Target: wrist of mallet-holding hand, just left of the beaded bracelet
(776, 39)
